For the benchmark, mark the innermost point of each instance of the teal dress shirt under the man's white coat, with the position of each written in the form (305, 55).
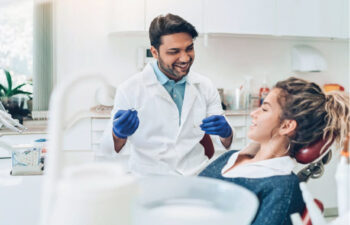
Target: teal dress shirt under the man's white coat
(176, 90)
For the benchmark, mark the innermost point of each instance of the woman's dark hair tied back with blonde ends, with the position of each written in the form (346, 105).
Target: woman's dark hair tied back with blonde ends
(318, 115)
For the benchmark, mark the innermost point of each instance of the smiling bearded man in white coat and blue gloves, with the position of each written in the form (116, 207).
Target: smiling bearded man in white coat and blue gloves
(162, 113)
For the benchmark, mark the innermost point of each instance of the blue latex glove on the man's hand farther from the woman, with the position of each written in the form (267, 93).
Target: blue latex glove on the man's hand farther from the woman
(125, 123)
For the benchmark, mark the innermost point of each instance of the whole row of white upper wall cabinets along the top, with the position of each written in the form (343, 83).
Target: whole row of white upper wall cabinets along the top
(304, 18)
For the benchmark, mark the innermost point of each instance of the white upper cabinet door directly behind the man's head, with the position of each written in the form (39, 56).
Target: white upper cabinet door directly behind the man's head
(189, 10)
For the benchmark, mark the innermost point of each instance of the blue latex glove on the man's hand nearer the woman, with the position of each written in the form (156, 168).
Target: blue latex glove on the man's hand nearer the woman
(216, 125)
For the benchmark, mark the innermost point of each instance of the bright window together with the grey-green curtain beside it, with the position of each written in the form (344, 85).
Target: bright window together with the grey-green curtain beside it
(26, 47)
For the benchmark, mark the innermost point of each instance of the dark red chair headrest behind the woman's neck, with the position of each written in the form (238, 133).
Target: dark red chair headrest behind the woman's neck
(312, 152)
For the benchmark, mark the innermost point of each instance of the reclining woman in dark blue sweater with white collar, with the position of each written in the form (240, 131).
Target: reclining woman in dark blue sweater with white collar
(293, 115)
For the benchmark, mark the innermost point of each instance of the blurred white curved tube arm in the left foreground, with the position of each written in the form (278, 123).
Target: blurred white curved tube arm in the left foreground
(54, 162)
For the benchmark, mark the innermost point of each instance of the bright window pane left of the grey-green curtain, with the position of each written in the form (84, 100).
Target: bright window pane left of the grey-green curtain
(16, 39)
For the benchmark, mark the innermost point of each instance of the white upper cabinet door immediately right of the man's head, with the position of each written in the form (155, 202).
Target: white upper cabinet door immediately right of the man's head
(240, 16)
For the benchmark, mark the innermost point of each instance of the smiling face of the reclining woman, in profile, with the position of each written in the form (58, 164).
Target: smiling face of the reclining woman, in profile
(266, 119)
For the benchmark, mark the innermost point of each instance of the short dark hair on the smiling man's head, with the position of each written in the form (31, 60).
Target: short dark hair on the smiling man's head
(169, 24)
